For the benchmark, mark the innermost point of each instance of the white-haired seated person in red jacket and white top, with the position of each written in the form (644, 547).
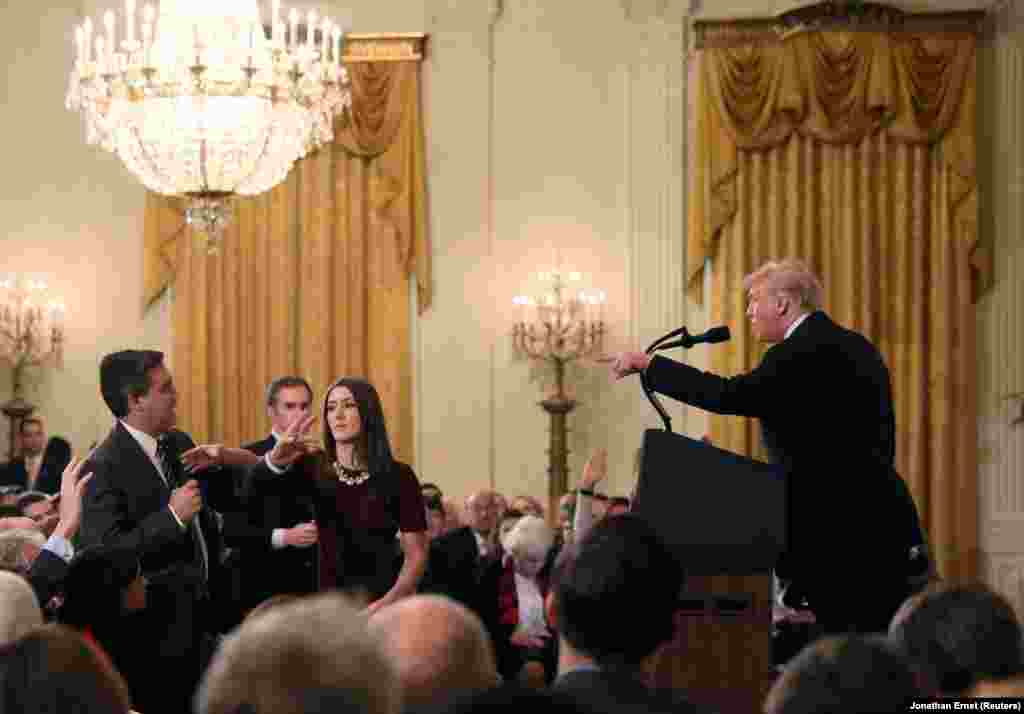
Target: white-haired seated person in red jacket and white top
(527, 652)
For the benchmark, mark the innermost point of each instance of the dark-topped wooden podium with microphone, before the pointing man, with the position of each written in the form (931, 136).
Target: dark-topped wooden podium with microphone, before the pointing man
(723, 517)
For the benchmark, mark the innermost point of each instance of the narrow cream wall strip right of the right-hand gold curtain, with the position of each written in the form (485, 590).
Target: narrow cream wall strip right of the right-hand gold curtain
(1001, 330)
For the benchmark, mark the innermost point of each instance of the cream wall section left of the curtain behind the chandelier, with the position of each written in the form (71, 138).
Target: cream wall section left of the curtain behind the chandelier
(71, 215)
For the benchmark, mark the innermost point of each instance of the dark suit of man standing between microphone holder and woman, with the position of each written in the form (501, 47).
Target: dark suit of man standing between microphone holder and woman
(273, 503)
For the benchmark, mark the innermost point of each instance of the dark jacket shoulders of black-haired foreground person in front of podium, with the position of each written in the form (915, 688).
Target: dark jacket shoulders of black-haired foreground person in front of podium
(599, 692)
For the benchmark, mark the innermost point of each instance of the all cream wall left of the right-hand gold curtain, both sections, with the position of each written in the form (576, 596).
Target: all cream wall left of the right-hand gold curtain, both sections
(549, 125)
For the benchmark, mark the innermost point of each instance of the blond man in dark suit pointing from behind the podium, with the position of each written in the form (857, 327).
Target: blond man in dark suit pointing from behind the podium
(825, 400)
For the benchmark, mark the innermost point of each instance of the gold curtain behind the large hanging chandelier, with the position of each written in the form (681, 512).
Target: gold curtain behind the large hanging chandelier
(313, 278)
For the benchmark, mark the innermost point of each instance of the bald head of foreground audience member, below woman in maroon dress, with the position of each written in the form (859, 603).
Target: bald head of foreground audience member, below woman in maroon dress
(440, 649)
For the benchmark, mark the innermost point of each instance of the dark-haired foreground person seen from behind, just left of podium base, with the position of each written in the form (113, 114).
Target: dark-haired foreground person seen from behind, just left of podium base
(613, 601)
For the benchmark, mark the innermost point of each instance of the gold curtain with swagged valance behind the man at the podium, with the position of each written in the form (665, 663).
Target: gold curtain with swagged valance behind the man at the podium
(856, 151)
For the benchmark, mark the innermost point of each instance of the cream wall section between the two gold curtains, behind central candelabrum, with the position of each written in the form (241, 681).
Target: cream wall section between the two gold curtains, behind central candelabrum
(552, 128)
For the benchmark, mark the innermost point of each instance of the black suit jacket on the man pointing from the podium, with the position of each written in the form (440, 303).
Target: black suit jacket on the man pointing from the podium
(825, 401)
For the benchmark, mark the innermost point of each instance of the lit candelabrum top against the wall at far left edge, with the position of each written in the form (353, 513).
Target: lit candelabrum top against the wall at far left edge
(31, 328)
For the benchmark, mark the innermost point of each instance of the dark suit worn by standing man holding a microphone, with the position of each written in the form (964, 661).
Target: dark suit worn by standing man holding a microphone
(126, 506)
